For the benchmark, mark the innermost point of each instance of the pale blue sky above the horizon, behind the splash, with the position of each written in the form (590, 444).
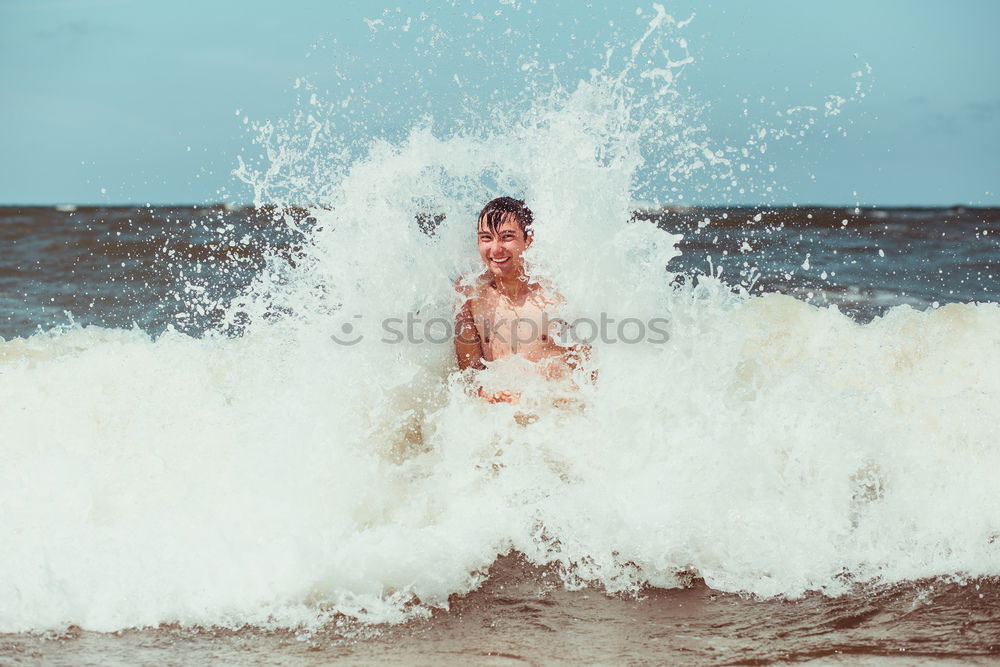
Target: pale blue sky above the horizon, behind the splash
(115, 101)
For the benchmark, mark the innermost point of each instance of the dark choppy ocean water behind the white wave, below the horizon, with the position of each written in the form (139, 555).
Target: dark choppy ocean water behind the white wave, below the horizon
(125, 266)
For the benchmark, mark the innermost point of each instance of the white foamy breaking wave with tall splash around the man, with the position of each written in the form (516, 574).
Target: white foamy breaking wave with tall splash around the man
(280, 477)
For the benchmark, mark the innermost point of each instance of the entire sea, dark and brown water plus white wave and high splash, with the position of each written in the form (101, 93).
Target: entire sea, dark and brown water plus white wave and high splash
(237, 434)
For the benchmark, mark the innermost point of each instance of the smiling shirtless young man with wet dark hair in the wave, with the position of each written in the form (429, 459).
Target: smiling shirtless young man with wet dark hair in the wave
(505, 313)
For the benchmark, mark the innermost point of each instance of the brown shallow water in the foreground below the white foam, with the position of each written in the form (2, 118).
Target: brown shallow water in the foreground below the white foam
(524, 615)
